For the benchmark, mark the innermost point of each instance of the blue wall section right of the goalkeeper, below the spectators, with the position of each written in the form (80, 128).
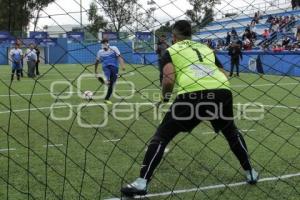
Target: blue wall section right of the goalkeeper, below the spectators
(284, 63)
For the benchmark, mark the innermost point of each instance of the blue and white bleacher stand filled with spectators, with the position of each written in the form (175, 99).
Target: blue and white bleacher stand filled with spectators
(262, 30)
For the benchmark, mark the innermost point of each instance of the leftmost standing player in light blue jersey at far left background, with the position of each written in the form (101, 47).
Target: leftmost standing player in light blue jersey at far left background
(16, 57)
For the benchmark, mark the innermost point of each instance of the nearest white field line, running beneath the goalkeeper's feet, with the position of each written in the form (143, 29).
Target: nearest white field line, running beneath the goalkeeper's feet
(211, 187)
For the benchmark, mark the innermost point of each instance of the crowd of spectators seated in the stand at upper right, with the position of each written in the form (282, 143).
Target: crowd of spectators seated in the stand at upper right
(247, 41)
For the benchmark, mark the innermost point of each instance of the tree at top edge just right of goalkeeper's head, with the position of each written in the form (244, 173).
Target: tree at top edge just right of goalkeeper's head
(202, 12)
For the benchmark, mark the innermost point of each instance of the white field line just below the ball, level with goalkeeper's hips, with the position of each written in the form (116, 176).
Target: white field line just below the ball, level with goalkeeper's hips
(75, 106)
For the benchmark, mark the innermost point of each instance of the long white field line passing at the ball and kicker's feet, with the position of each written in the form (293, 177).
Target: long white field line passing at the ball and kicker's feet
(154, 89)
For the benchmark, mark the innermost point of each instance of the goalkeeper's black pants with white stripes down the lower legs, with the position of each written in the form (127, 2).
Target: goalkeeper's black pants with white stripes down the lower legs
(187, 111)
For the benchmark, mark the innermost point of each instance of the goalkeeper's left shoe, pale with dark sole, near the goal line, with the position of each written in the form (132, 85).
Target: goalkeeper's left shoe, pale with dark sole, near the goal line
(138, 187)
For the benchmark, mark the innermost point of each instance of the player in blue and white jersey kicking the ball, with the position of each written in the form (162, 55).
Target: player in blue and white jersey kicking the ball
(110, 57)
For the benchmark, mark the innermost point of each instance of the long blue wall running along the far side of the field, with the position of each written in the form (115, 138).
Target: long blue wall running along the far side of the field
(284, 63)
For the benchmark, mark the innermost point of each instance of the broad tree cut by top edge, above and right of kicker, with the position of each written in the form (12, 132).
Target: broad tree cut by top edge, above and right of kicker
(120, 12)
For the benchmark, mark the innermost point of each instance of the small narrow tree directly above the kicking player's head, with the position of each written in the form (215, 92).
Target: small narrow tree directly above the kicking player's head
(97, 21)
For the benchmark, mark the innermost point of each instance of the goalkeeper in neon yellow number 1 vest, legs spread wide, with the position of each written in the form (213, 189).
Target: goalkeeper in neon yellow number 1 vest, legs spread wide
(203, 89)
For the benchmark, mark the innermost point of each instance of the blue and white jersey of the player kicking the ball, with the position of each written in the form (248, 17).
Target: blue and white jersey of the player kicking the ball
(109, 57)
